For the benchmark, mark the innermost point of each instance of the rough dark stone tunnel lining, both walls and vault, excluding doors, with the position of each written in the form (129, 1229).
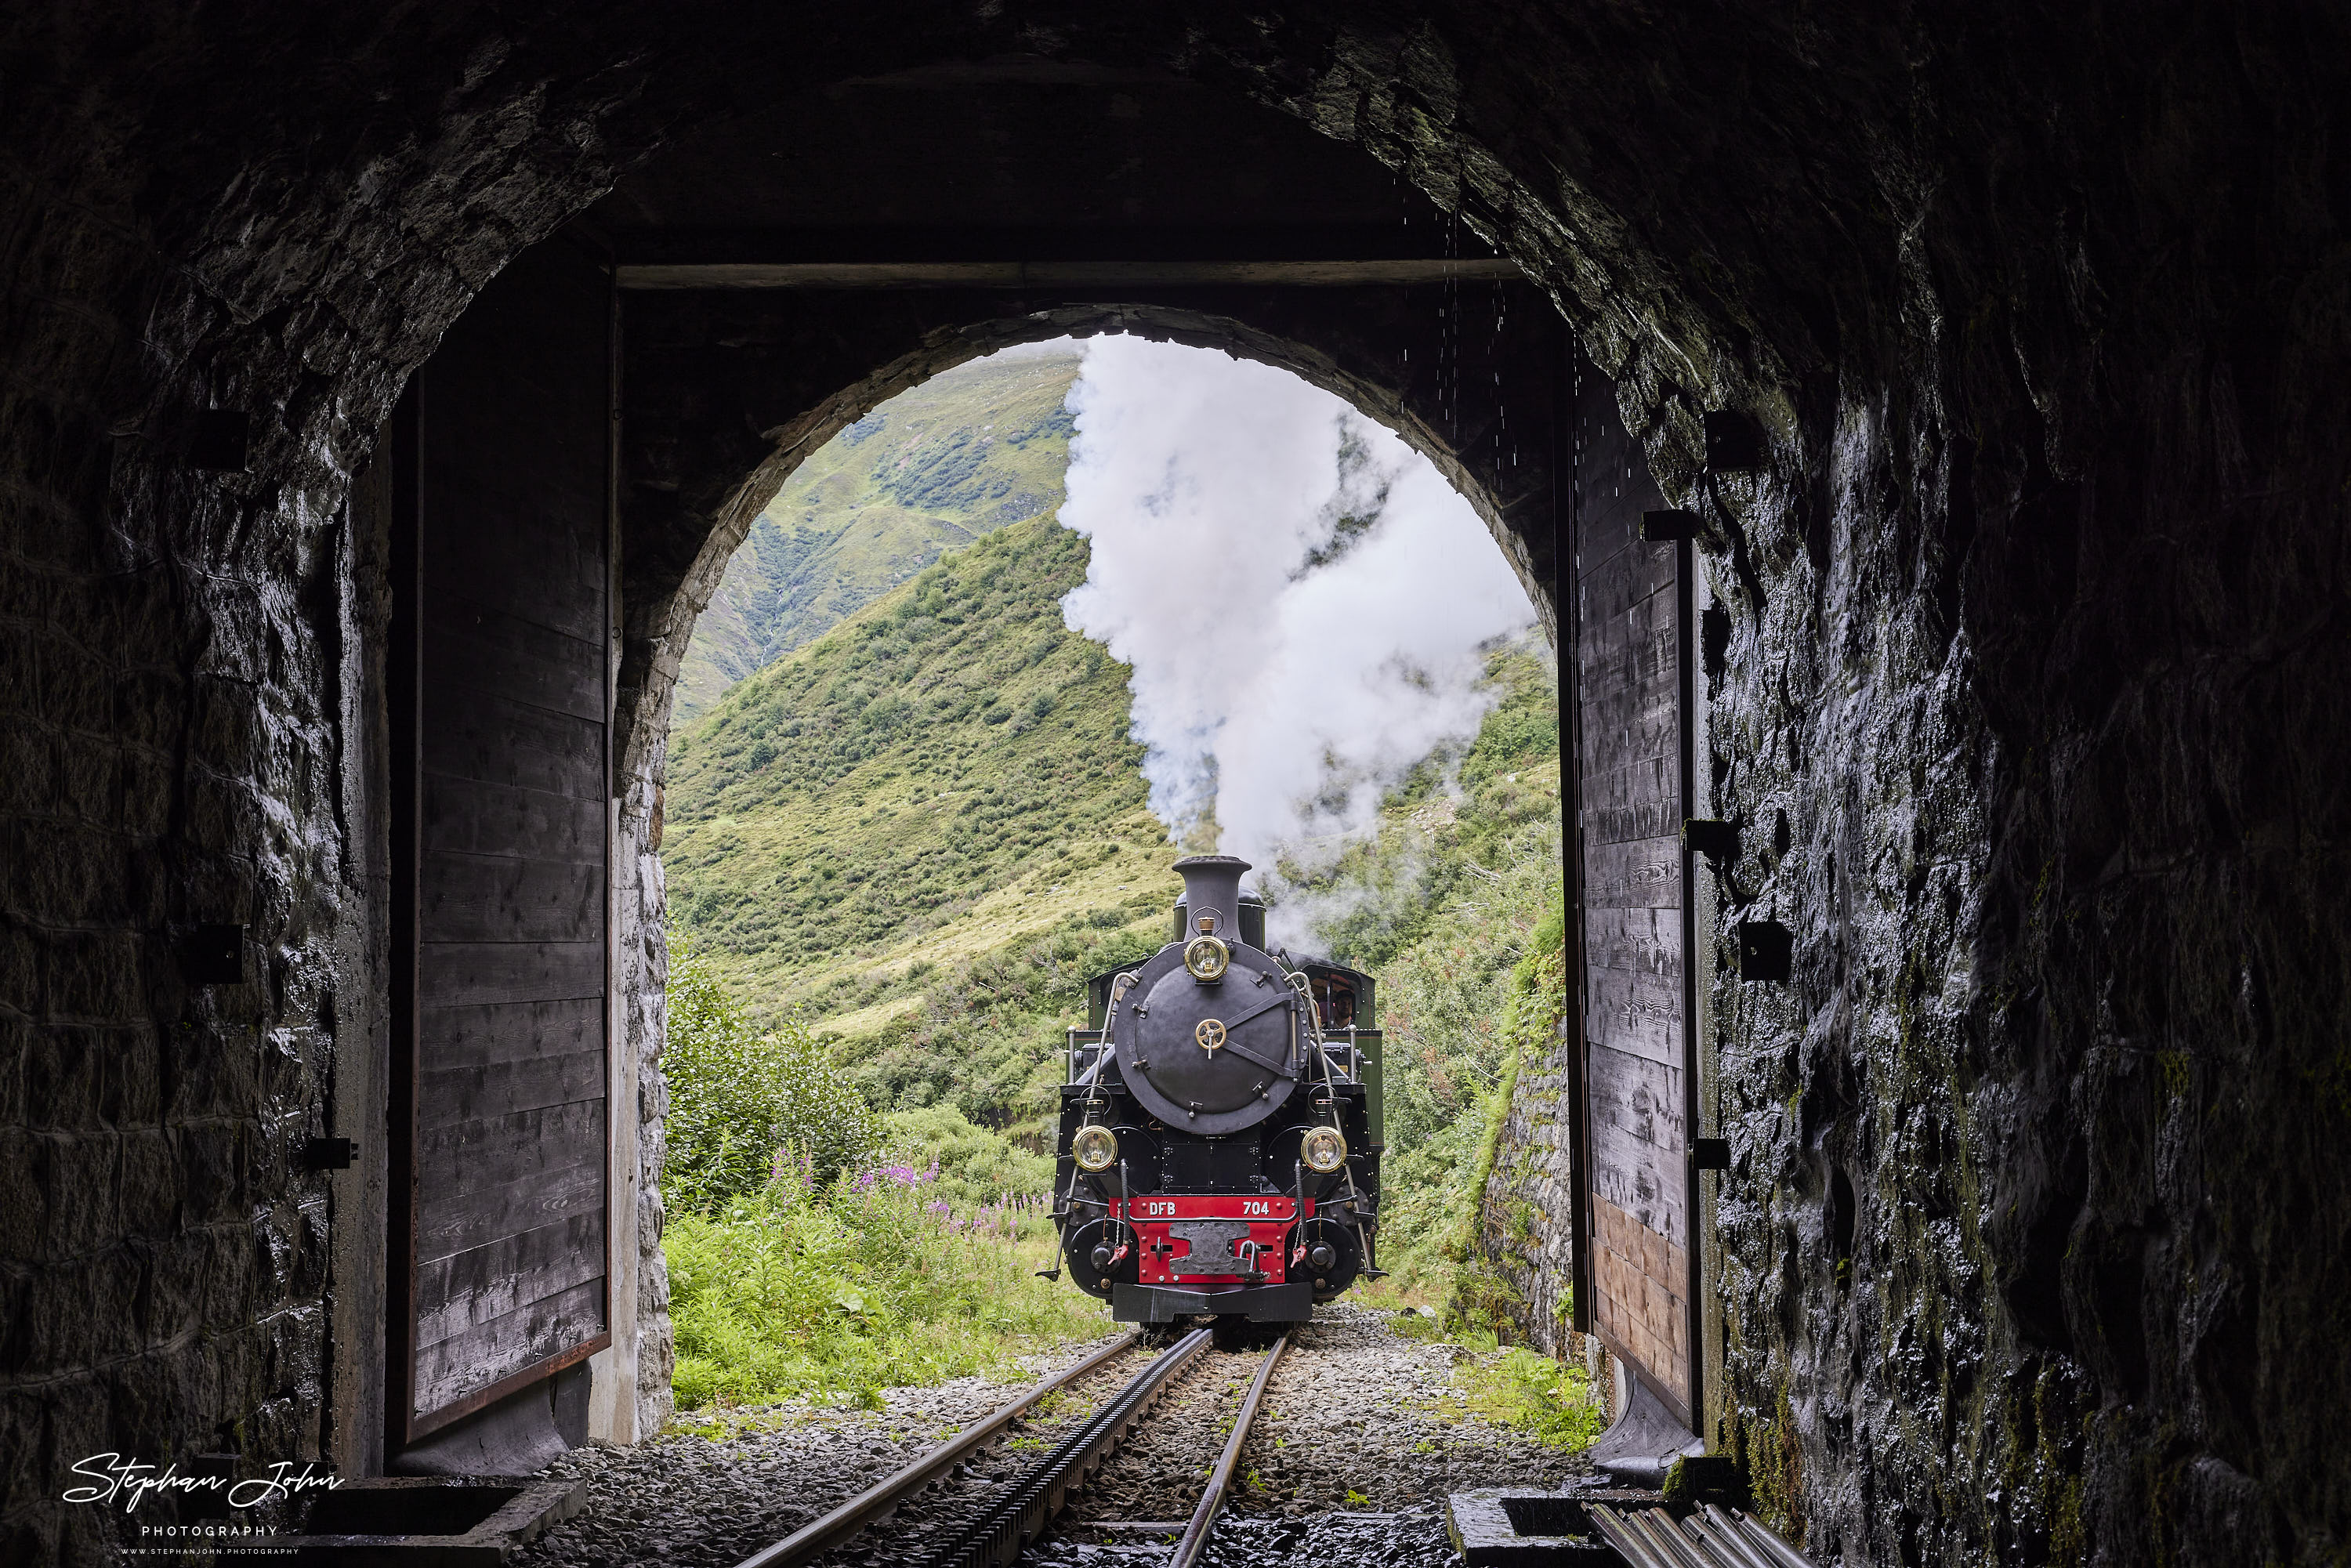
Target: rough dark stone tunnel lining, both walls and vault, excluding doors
(2032, 645)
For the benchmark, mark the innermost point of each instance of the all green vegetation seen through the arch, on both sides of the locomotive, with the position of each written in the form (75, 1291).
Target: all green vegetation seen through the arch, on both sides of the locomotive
(902, 845)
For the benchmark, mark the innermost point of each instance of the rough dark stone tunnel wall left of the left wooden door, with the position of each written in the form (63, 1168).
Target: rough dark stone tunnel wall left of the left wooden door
(199, 363)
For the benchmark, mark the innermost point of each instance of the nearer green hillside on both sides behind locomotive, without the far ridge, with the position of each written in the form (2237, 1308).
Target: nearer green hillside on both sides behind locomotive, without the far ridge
(927, 829)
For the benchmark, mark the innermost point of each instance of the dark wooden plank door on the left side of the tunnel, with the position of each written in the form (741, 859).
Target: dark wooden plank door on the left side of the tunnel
(511, 622)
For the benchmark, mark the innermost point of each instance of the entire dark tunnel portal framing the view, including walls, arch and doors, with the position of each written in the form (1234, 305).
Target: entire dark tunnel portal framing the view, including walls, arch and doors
(1924, 438)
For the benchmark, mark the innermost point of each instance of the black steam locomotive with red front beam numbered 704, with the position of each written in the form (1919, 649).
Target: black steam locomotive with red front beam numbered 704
(1221, 1125)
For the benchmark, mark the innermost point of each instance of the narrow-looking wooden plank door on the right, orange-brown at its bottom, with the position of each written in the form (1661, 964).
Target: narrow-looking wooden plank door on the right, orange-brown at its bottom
(1633, 669)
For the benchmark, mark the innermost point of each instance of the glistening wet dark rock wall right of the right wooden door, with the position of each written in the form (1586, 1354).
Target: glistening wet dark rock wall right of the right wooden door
(2021, 697)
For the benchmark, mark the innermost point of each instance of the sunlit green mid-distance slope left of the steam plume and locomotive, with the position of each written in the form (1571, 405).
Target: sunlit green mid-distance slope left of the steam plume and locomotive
(909, 822)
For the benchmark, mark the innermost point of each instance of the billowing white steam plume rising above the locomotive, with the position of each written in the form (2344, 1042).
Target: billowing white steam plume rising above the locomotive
(1301, 596)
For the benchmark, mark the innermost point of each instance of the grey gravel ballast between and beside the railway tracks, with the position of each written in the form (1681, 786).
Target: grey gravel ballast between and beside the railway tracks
(1355, 1423)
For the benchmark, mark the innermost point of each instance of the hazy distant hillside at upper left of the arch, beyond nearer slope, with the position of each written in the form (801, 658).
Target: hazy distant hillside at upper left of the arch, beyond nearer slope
(930, 471)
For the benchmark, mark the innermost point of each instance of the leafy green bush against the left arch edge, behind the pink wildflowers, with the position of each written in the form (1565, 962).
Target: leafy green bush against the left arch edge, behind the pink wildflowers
(739, 1097)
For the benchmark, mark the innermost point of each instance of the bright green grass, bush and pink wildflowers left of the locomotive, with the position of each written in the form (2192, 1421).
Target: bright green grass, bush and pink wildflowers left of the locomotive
(819, 1249)
